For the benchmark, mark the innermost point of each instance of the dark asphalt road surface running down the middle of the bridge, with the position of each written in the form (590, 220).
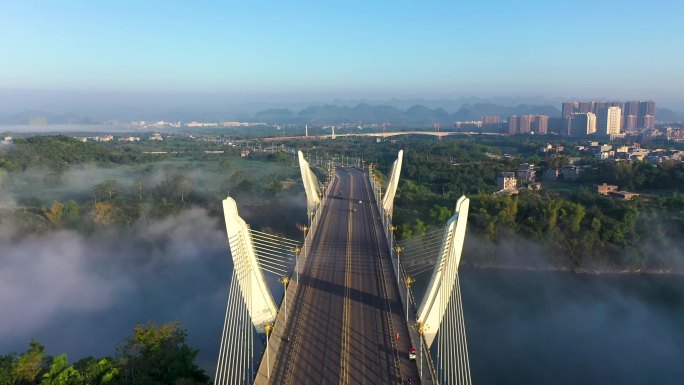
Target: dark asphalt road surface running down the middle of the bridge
(347, 313)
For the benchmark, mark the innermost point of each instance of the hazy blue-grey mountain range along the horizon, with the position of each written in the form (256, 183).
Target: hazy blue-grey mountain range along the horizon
(360, 113)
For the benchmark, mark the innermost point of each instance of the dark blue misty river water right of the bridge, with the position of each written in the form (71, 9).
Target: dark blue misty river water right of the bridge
(564, 328)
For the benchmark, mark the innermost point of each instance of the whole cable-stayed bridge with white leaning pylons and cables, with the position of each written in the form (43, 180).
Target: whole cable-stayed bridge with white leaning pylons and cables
(356, 306)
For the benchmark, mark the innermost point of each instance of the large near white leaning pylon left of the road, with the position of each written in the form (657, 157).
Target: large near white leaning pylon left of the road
(261, 306)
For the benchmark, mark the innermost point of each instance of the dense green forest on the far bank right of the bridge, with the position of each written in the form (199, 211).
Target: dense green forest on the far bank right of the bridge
(570, 225)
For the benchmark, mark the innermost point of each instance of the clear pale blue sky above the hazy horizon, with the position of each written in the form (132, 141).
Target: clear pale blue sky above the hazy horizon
(352, 49)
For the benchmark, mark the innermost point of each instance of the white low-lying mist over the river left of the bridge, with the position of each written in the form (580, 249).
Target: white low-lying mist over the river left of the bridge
(83, 294)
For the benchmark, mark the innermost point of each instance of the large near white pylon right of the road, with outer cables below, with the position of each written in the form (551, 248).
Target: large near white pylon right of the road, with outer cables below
(441, 309)
